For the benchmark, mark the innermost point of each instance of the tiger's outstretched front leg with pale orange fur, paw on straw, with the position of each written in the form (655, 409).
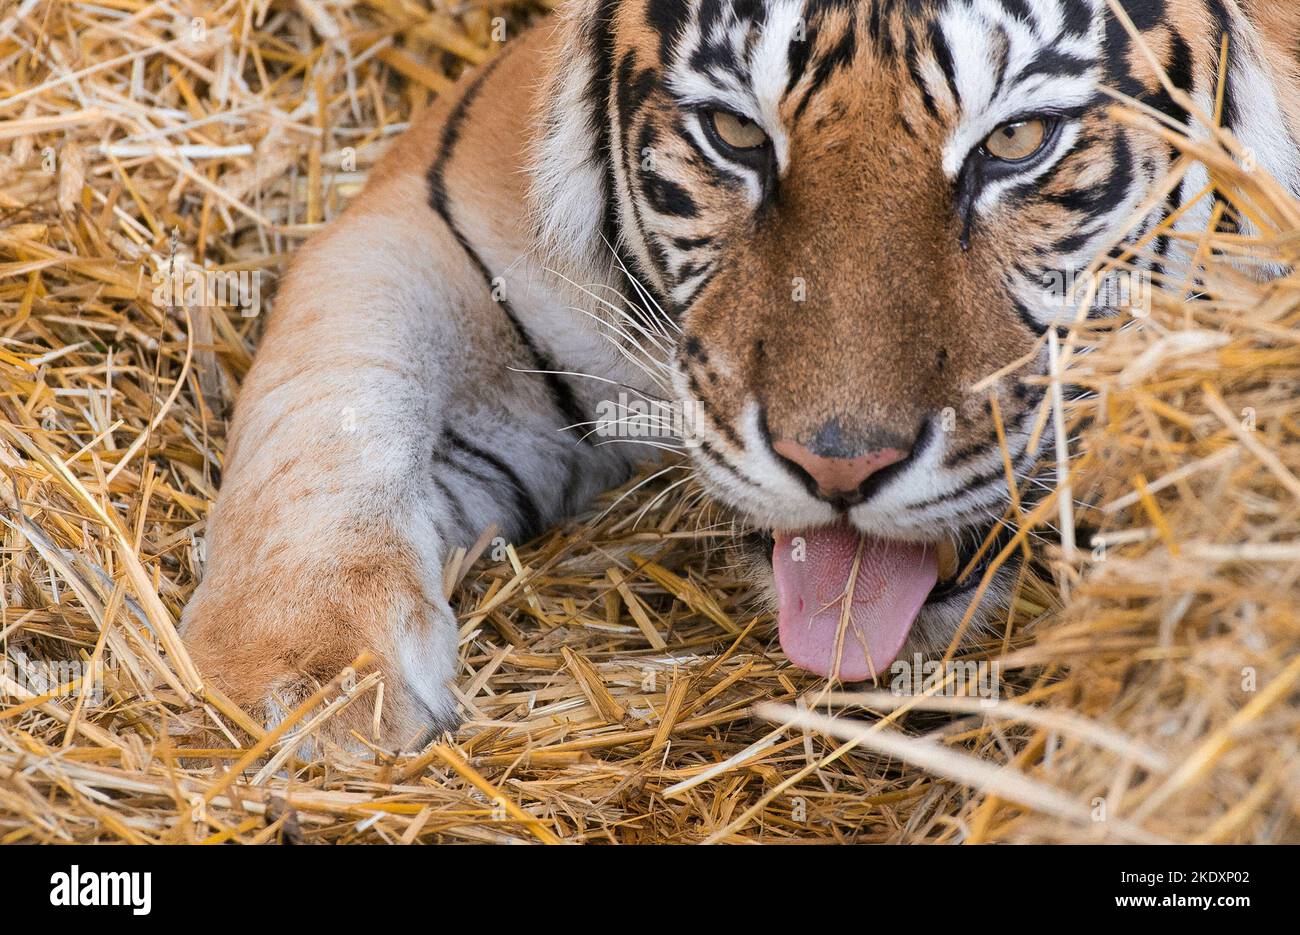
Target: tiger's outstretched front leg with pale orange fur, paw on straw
(379, 430)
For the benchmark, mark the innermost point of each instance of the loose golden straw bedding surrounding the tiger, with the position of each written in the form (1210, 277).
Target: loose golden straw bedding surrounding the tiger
(617, 685)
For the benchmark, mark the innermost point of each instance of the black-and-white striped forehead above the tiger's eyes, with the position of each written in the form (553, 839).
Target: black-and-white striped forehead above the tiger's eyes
(759, 58)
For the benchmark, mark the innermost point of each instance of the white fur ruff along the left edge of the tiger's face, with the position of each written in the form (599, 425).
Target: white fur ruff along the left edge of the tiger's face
(569, 187)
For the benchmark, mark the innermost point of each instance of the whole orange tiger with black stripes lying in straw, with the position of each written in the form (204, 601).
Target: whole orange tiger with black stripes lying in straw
(820, 227)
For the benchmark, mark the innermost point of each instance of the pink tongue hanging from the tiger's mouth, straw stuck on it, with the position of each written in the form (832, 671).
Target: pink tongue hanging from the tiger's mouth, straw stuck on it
(813, 572)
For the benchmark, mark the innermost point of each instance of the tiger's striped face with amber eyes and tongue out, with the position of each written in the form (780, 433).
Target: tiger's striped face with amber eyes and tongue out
(852, 211)
